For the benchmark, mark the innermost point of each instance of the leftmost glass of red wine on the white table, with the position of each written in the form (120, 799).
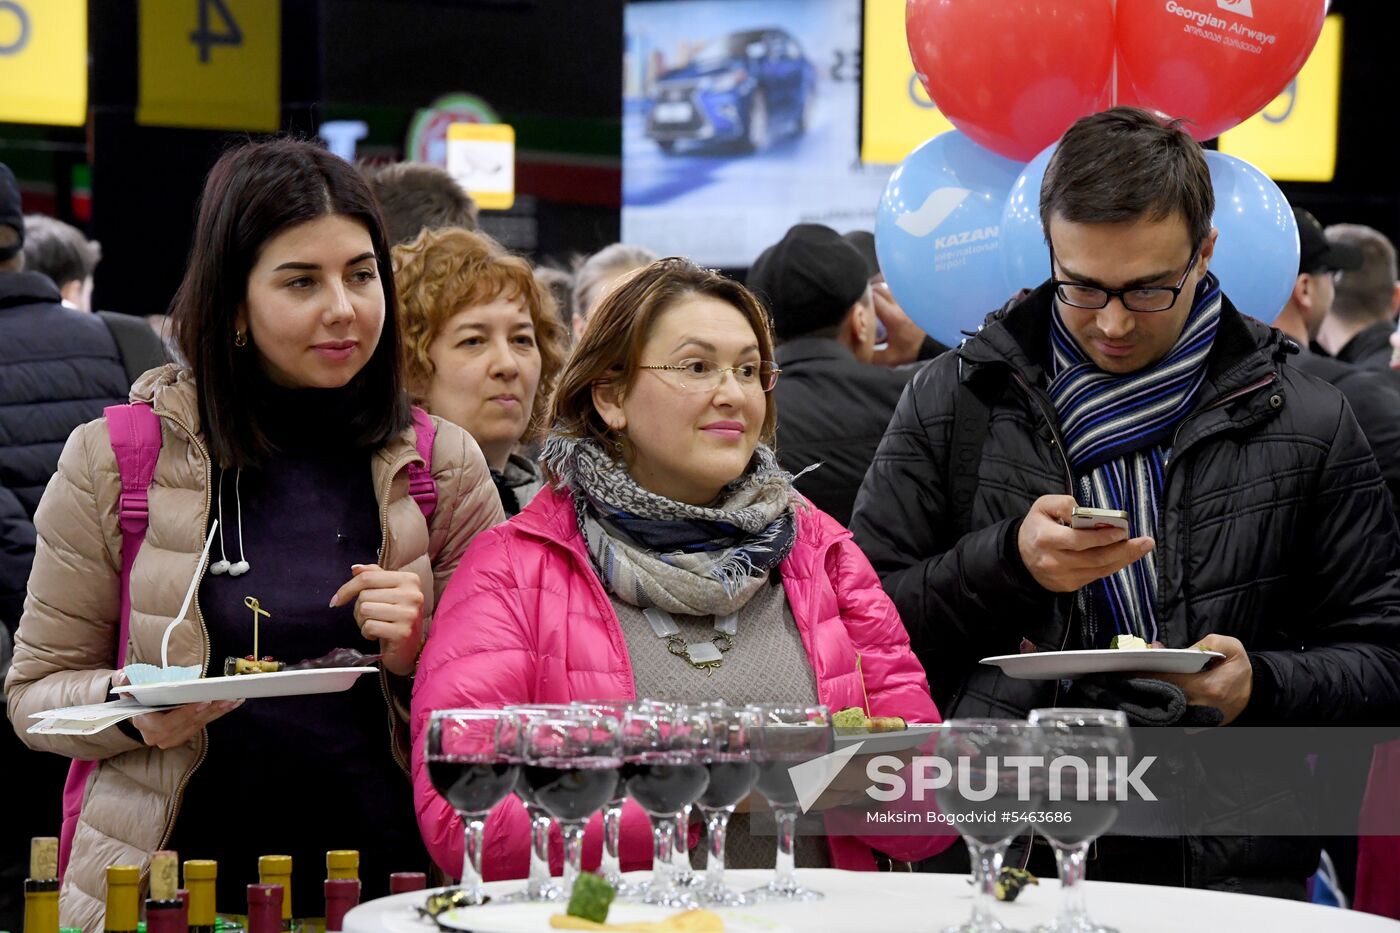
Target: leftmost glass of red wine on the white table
(474, 761)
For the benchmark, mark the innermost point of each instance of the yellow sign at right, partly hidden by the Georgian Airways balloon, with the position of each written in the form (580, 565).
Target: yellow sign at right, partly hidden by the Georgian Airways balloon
(1296, 137)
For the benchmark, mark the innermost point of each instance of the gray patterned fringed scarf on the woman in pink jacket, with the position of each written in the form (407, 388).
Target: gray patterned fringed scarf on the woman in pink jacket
(652, 551)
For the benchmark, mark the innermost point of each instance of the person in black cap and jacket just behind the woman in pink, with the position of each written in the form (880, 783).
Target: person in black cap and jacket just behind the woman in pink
(834, 401)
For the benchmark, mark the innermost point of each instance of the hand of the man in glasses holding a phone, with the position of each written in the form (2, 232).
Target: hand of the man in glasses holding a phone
(1063, 558)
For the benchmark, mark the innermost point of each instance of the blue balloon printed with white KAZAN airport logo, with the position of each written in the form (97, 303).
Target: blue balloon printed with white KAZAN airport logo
(937, 235)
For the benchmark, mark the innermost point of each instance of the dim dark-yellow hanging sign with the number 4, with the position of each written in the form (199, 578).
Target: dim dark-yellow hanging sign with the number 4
(211, 64)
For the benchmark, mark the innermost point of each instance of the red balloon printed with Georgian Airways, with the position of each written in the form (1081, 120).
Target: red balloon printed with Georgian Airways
(1213, 62)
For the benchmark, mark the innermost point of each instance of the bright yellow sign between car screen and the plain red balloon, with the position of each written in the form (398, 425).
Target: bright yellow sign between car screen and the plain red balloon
(897, 114)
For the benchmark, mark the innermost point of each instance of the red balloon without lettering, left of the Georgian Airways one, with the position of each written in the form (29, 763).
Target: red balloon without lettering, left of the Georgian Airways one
(1013, 75)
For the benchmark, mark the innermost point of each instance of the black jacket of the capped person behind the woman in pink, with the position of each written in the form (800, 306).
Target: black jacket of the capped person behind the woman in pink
(832, 411)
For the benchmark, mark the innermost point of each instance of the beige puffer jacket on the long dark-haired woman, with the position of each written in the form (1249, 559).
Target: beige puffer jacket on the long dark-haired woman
(65, 651)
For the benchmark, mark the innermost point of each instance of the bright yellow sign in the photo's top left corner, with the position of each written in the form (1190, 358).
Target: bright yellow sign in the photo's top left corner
(44, 62)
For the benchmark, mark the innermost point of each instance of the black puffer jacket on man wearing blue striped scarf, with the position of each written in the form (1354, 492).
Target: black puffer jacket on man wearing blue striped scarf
(1276, 530)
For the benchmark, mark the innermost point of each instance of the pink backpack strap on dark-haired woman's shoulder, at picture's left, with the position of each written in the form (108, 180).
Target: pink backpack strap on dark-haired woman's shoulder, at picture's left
(136, 441)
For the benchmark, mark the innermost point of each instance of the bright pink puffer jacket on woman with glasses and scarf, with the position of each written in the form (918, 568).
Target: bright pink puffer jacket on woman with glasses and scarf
(526, 620)
